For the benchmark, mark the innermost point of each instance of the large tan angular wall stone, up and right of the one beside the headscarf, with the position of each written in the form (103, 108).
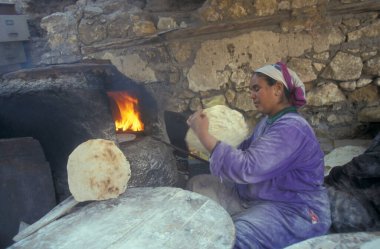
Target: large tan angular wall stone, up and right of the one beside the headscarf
(343, 67)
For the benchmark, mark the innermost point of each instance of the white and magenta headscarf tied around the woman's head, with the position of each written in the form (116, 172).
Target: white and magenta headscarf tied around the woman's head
(289, 78)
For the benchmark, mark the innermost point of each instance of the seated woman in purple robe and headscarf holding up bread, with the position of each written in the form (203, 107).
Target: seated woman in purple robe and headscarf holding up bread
(272, 183)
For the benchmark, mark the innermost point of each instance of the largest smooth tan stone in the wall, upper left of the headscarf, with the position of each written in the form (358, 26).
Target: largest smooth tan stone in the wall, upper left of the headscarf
(209, 69)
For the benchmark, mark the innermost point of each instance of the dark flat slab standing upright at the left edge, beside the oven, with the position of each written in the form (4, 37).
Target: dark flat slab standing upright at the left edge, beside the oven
(26, 189)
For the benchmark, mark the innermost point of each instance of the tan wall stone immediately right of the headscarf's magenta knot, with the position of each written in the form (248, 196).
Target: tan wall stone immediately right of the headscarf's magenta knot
(326, 94)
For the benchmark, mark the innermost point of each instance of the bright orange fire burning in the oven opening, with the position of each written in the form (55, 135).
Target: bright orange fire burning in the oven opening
(127, 117)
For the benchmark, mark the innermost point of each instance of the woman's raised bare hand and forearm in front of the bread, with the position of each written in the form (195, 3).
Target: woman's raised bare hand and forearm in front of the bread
(199, 123)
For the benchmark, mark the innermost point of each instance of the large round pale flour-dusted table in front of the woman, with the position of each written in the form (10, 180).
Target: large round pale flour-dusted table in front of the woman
(162, 217)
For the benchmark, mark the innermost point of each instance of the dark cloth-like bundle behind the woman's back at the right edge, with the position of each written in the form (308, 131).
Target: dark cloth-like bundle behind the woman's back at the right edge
(354, 192)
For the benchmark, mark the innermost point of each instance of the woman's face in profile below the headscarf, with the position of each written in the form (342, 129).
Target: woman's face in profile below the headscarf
(265, 97)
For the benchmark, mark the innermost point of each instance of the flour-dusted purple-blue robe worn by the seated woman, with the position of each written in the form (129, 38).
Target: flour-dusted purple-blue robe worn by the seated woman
(279, 171)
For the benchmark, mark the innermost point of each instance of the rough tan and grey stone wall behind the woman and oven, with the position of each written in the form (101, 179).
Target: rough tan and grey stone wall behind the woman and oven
(205, 55)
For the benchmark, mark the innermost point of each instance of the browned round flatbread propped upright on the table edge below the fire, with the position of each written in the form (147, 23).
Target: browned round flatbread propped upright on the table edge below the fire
(97, 170)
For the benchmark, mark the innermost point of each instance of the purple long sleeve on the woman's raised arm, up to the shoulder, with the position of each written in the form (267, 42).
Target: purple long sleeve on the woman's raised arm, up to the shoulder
(285, 145)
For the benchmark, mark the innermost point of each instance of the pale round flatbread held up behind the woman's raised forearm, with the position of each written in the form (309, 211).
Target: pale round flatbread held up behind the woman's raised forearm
(225, 124)
